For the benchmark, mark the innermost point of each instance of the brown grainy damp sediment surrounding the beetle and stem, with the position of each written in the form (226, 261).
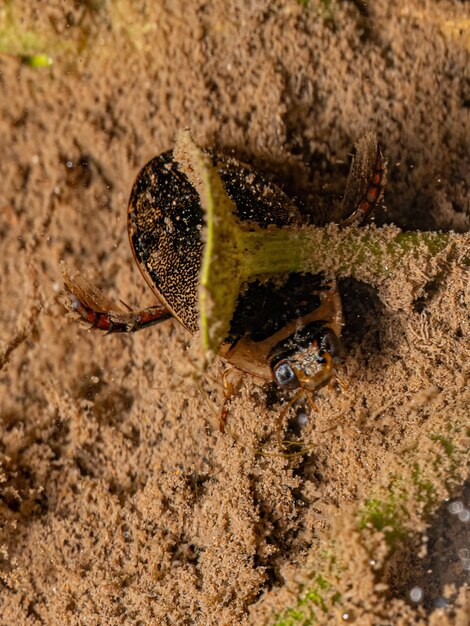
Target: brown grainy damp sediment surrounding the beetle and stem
(120, 500)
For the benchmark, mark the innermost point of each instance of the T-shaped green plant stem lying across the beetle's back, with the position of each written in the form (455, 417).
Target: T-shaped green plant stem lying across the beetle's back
(236, 252)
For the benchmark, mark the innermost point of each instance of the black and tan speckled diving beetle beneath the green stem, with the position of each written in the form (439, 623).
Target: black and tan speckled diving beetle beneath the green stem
(284, 331)
